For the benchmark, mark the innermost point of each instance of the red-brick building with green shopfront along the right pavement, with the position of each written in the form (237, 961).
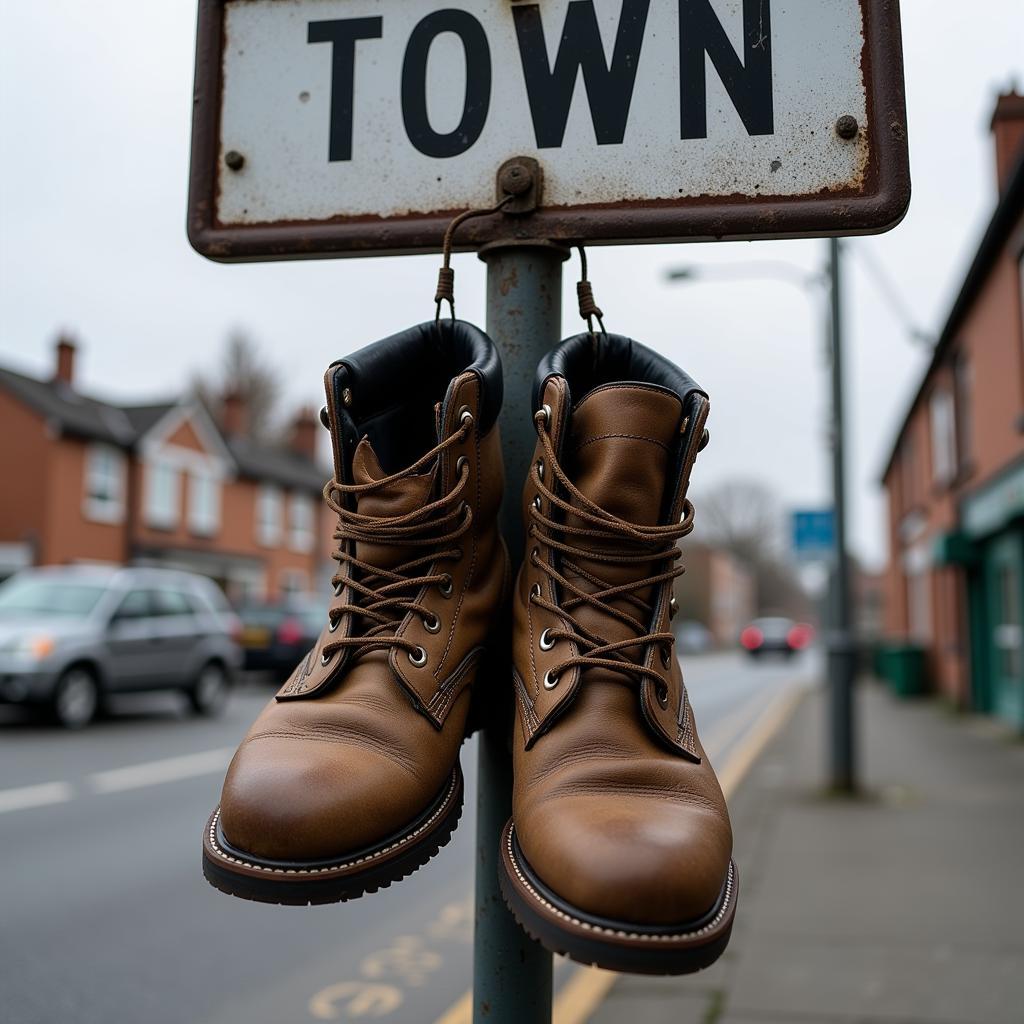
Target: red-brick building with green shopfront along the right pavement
(955, 480)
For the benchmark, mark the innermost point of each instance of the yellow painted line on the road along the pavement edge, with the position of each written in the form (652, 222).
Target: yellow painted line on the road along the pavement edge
(588, 987)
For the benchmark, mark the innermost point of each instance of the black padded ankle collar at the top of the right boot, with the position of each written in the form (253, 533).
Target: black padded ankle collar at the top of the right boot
(590, 361)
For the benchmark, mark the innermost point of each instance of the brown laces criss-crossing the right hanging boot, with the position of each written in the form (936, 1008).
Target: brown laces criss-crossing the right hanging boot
(618, 543)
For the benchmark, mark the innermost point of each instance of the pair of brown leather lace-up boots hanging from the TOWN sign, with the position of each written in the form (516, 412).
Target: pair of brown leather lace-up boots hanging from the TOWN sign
(619, 852)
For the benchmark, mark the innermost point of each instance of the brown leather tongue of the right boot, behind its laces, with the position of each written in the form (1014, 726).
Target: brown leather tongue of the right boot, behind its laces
(620, 453)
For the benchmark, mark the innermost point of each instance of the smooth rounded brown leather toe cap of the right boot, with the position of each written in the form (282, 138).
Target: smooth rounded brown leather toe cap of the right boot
(643, 861)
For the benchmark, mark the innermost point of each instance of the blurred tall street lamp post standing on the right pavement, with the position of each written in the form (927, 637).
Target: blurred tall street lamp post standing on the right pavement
(841, 635)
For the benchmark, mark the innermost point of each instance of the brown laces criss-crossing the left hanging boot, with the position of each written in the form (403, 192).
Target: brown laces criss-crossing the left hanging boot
(381, 596)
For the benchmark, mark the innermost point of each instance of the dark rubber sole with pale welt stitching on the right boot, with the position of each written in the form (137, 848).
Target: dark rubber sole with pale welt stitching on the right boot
(622, 947)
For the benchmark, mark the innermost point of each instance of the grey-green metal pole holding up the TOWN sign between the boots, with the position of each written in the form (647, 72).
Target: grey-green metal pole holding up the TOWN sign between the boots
(511, 973)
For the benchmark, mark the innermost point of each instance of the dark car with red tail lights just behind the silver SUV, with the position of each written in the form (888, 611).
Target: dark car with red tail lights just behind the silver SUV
(278, 635)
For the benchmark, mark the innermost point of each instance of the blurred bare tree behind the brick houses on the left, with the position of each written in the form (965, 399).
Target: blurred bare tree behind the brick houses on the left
(243, 372)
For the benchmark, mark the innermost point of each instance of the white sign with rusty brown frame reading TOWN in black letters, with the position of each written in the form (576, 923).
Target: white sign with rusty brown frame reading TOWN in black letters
(358, 127)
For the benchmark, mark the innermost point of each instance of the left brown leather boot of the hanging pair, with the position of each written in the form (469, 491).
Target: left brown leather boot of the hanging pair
(350, 780)
